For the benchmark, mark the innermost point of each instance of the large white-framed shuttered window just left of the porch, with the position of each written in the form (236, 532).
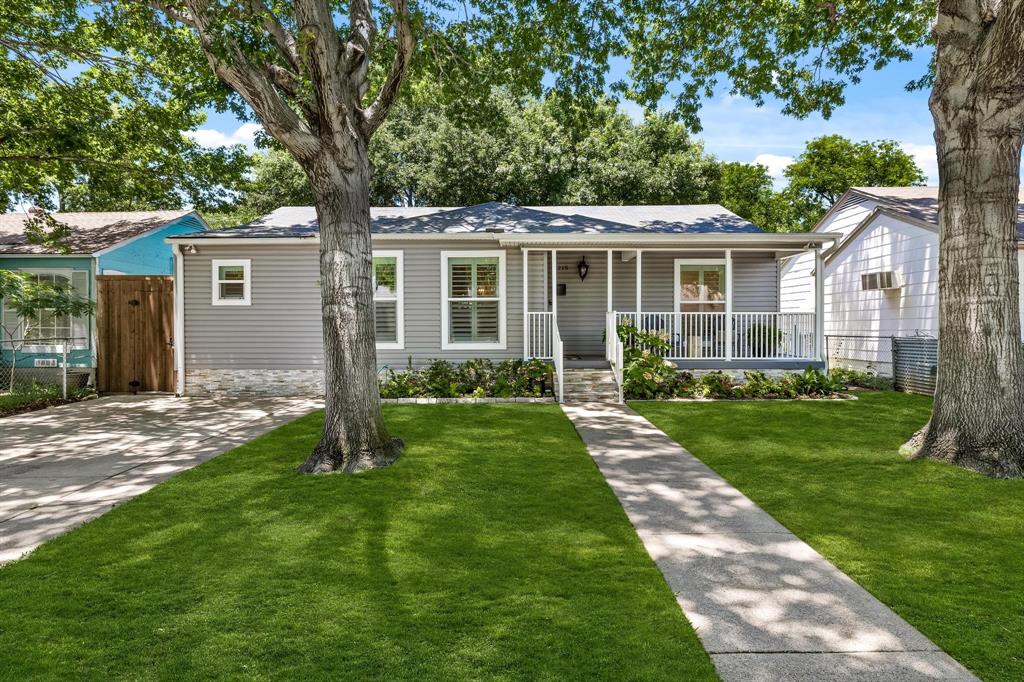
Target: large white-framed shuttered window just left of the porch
(474, 300)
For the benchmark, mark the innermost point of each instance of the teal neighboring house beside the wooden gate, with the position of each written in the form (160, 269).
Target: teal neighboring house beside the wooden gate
(101, 243)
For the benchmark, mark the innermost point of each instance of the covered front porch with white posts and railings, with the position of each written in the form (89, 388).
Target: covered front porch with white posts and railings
(715, 309)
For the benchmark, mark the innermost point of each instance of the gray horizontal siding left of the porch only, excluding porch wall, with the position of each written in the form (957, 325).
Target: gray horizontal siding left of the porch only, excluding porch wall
(283, 330)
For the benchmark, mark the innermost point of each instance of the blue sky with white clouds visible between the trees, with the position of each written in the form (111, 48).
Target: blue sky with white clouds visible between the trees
(735, 130)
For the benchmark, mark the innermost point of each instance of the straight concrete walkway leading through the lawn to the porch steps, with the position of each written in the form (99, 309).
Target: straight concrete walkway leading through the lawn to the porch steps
(765, 606)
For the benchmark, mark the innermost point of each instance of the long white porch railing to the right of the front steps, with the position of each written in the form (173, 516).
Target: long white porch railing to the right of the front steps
(707, 335)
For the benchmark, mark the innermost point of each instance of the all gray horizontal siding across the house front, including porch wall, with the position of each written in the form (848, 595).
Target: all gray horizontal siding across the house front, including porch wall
(282, 329)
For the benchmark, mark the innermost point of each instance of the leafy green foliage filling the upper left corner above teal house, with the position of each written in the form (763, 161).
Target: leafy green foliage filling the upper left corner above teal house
(88, 125)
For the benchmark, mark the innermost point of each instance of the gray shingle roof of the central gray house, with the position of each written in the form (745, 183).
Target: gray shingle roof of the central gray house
(504, 219)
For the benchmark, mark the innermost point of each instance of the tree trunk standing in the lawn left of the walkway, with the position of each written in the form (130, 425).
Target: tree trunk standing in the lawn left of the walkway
(355, 437)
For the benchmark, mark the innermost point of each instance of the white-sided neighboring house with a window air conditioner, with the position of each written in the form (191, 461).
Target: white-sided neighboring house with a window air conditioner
(881, 279)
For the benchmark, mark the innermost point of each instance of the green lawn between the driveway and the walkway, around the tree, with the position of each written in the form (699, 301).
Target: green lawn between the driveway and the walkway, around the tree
(493, 550)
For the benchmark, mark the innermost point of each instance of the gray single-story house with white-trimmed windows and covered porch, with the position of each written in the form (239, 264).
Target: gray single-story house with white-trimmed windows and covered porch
(494, 281)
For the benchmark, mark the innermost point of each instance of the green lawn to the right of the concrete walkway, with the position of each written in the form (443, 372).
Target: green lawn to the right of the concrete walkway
(942, 546)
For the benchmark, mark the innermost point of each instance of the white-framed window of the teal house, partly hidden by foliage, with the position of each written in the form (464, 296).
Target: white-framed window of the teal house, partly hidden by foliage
(46, 331)
